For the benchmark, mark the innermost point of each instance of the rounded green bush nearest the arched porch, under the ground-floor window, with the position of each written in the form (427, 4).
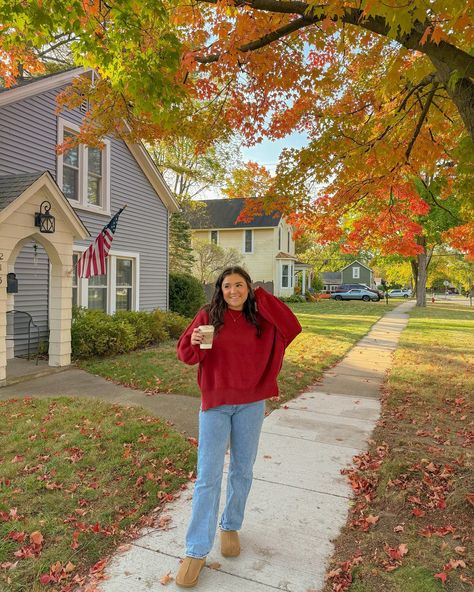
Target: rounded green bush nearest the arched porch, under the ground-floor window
(95, 333)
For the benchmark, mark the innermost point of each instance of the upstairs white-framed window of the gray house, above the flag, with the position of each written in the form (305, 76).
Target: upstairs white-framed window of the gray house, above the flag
(83, 171)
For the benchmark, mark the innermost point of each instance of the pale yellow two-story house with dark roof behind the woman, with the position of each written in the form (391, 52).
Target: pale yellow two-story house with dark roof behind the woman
(266, 243)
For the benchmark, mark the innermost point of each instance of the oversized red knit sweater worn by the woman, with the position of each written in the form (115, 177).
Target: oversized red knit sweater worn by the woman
(241, 367)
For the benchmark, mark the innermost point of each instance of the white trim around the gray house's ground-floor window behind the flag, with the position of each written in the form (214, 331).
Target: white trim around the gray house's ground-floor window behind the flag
(83, 283)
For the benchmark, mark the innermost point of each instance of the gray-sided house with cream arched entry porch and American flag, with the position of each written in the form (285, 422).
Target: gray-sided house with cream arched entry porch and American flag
(85, 187)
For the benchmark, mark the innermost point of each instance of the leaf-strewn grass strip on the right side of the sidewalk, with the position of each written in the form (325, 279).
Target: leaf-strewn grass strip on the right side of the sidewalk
(417, 479)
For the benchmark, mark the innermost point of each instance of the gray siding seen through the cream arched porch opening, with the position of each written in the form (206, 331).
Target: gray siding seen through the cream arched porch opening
(32, 273)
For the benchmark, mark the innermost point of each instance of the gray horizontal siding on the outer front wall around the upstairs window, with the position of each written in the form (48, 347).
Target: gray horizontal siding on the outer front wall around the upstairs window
(28, 137)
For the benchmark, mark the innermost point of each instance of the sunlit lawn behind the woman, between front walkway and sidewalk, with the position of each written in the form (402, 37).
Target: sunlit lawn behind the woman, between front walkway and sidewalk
(329, 329)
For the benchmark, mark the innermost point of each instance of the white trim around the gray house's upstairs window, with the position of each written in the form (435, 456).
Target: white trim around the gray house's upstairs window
(82, 204)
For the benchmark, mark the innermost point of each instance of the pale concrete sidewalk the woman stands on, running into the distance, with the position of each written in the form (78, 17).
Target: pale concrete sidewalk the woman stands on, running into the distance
(299, 500)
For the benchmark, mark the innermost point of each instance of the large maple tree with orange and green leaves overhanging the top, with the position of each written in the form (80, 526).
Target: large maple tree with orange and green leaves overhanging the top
(383, 90)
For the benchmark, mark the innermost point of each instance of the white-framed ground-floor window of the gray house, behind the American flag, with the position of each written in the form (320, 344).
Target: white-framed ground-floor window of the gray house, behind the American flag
(116, 290)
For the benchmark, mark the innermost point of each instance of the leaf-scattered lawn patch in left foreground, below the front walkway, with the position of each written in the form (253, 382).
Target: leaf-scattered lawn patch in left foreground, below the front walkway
(75, 480)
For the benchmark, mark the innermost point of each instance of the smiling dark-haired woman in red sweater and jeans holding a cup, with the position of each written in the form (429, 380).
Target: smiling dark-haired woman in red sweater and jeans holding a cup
(252, 330)
